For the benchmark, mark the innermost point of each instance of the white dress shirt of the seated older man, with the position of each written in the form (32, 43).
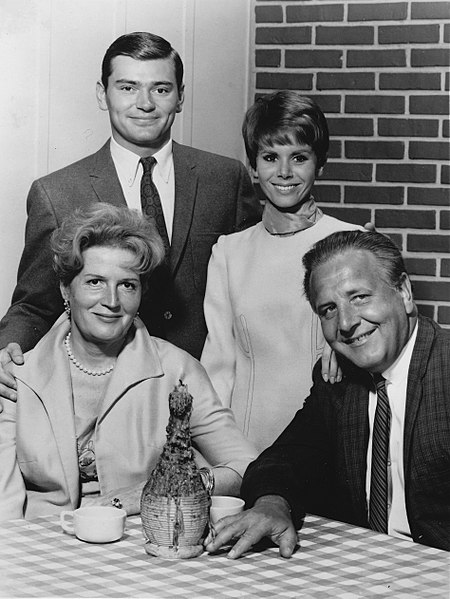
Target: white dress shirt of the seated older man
(396, 385)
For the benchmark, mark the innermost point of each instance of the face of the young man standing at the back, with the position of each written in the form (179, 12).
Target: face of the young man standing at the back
(142, 98)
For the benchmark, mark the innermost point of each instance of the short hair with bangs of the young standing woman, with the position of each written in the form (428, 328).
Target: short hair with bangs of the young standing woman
(281, 118)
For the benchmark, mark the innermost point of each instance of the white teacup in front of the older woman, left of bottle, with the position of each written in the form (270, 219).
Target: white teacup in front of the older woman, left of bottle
(95, 524)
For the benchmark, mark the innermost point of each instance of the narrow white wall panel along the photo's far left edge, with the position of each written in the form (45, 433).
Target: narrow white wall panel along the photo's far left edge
(19, 116)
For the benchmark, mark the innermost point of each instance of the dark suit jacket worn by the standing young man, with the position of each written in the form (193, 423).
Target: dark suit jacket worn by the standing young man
(213, 196)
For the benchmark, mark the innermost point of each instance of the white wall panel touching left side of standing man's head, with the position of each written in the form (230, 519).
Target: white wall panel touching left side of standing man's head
(79, 35)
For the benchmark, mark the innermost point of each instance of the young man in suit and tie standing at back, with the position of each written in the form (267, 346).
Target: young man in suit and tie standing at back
(202, 195)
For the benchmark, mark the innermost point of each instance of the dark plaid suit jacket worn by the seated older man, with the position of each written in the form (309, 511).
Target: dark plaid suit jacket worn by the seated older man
(319, 462)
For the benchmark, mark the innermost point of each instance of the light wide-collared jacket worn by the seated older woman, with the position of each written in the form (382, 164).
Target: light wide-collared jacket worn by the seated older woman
(38, 456)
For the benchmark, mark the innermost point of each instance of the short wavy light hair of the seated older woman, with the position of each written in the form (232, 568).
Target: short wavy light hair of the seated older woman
(106, 226)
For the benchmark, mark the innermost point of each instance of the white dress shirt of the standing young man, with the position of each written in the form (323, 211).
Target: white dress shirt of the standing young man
(129, 170)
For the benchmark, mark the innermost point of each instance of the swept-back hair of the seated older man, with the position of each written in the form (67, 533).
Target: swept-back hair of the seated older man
(385, 251)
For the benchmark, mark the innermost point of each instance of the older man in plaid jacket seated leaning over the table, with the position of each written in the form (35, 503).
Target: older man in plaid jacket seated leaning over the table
(373, 450)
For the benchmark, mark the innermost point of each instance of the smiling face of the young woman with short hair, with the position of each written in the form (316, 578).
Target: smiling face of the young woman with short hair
(286, 174)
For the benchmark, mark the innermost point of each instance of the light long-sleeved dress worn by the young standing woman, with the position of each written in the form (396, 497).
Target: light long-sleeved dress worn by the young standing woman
(263, 338)
